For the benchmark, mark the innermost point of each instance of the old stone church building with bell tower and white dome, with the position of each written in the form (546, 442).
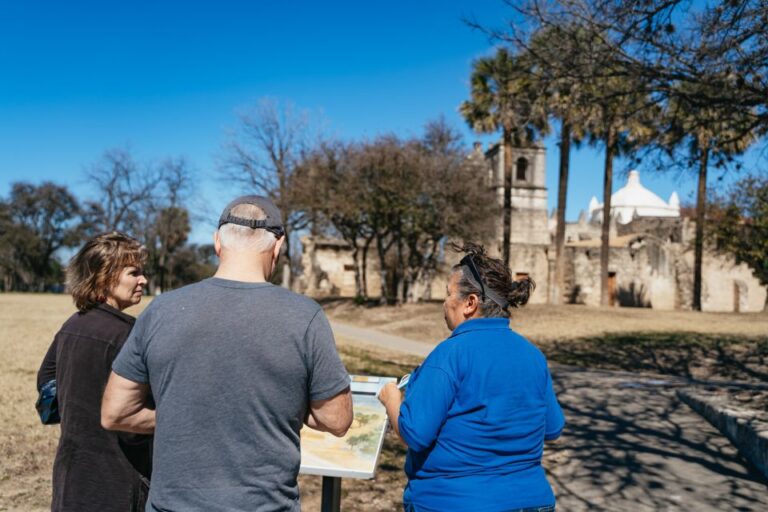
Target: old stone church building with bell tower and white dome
(651, 257)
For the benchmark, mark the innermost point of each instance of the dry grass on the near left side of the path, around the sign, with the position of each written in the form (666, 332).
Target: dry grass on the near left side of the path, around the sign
(28, 323)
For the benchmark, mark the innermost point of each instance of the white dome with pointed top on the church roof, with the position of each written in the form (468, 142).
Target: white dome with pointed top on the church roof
(636, 200)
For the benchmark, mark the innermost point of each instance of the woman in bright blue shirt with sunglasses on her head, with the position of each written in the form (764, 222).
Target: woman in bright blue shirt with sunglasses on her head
(476, 413)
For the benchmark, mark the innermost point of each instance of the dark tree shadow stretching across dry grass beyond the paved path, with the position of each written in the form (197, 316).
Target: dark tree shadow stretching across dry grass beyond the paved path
(682, 354)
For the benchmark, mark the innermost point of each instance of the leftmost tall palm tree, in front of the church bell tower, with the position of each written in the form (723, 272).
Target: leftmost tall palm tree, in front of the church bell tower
(504, 97)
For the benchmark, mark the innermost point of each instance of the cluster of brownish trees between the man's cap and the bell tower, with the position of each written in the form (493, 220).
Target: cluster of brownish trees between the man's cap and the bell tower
(393, 200)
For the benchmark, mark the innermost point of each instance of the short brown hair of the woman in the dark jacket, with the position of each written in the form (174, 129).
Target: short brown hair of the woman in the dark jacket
(96, 267)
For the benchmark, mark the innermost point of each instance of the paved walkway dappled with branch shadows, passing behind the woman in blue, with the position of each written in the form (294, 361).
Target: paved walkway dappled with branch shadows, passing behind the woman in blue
(630, 444)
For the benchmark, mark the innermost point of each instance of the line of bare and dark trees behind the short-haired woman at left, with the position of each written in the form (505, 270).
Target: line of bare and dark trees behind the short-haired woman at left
(147, 201)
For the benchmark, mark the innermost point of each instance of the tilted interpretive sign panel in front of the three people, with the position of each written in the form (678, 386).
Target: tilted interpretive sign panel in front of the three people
(356, 454)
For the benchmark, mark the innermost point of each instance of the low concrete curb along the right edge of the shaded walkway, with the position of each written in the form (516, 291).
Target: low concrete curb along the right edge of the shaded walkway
(746, 429)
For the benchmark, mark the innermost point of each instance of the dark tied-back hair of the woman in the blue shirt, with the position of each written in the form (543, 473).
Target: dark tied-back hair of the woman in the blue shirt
(495, 276)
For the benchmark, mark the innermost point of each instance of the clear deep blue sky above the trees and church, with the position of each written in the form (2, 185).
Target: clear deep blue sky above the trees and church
(166, 78)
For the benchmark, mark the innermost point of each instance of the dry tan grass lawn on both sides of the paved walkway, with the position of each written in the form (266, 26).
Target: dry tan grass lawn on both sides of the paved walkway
(719, 345)
